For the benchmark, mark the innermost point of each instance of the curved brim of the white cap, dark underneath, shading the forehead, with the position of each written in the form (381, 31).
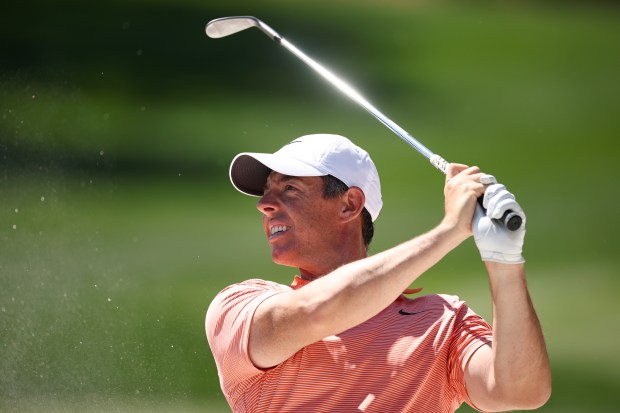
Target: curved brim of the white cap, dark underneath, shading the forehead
(249, 171)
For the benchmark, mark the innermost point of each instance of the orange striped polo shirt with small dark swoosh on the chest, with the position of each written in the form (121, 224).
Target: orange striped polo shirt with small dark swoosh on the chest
(408, 358)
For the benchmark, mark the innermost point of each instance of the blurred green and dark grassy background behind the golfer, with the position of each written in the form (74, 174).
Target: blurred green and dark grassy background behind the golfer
(118, 120)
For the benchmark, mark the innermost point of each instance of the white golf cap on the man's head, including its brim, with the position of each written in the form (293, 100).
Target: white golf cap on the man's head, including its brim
(311, 155)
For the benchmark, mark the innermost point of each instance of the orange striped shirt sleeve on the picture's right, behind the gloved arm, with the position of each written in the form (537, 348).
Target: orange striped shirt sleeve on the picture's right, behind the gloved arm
(470, 333)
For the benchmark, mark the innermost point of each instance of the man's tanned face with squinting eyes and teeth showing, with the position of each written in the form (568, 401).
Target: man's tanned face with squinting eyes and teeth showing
(300, 224)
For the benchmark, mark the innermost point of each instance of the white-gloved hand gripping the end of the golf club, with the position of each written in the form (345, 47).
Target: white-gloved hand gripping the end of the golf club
(494, 241)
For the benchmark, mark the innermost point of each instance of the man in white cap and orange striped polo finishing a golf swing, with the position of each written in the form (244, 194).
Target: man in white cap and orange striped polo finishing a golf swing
(347, 335)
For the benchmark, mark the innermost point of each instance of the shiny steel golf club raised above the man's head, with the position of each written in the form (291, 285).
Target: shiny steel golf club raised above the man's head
(226, 26)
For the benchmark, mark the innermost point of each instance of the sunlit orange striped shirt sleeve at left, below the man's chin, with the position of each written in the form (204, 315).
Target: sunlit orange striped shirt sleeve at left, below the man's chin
(227, 325)
